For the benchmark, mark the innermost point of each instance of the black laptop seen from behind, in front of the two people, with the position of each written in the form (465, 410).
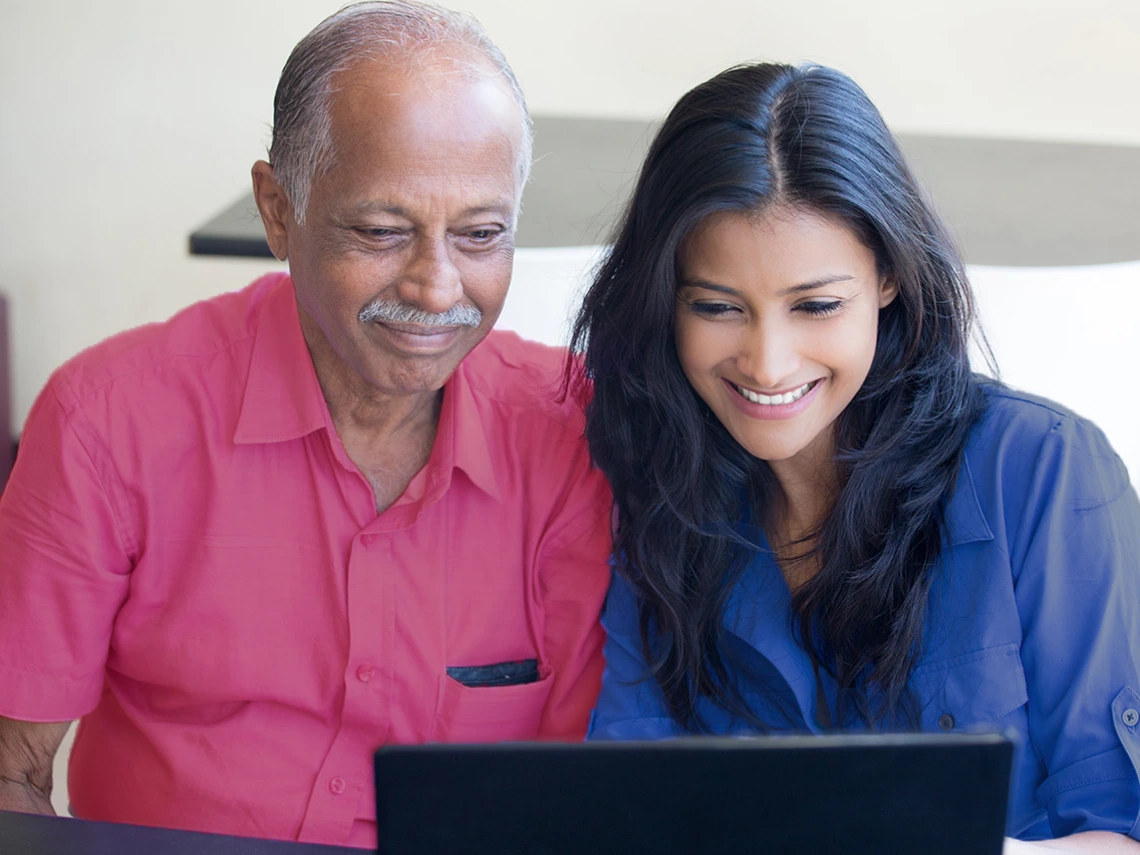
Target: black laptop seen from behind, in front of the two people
(858, 795)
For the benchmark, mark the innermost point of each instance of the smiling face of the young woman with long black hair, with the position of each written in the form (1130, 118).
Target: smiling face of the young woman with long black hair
(777, 319)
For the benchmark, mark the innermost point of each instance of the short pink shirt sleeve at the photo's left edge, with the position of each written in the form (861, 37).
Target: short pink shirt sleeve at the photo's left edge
(64, 571)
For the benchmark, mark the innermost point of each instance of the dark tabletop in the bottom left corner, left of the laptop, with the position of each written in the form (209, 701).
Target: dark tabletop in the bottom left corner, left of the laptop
(28, 835)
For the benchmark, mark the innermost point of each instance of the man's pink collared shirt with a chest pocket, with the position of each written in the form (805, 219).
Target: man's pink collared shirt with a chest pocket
(193, 565)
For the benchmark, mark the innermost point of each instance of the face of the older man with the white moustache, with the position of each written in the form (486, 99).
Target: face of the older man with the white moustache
(405, 257)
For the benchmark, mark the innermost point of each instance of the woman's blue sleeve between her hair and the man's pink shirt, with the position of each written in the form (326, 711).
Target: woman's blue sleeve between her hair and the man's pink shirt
(631, 706)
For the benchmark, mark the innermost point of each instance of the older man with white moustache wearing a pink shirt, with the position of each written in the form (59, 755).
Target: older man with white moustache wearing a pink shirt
(329, 512)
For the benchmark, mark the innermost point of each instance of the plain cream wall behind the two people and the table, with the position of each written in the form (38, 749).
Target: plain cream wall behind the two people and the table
(125, 125)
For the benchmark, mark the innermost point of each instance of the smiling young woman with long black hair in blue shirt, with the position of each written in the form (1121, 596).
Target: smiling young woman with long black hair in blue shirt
(825, 520)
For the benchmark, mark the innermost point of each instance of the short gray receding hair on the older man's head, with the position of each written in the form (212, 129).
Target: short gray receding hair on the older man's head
(303, 143)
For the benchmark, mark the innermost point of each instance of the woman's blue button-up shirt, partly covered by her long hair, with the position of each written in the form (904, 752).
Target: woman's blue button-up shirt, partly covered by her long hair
(1035, 626)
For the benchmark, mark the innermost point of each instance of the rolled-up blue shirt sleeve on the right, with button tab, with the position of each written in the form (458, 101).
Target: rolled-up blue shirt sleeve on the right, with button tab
(1077, 563)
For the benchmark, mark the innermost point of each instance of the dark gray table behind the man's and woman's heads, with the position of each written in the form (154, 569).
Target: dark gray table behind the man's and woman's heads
(1009, 203)
